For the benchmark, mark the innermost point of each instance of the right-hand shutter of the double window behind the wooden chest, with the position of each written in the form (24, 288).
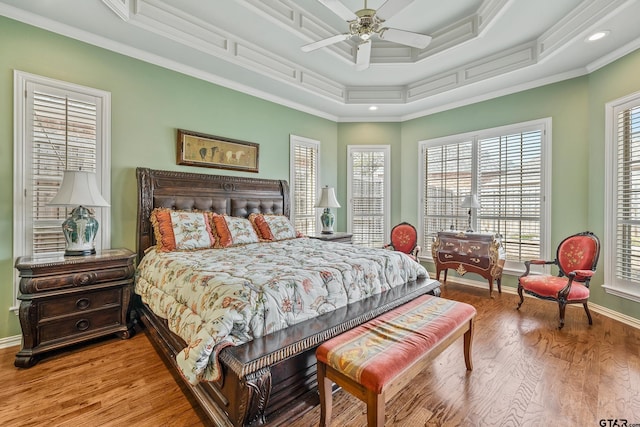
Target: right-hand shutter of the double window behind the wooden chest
(510, 191)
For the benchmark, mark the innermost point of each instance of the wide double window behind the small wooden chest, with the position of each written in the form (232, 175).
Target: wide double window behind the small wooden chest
(507, 169)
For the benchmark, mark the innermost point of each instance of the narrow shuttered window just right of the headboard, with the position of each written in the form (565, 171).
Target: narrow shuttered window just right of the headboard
(304, 183)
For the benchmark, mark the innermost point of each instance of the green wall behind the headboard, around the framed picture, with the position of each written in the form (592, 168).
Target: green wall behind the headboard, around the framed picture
(148, 103)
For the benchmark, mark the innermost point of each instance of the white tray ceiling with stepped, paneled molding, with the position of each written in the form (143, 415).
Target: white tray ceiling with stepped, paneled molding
(480, 49)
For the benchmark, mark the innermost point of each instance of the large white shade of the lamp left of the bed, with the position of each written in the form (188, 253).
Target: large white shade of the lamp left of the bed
(79, 188)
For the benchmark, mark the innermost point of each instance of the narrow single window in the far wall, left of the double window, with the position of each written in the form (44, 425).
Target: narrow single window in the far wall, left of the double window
(368, 191)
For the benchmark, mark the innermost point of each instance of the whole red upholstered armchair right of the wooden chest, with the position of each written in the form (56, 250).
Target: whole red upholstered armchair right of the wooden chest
(576, 259)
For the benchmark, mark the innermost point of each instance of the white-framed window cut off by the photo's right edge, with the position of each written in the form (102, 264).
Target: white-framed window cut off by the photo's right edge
(622, 215)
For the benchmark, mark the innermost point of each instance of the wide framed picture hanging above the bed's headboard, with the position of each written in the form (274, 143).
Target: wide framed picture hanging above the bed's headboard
(199, 149)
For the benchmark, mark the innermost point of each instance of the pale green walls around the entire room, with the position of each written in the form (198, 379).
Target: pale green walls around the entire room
(149, 103)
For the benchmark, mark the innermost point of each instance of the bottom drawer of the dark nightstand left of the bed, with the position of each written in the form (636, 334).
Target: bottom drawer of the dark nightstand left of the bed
(83, 323)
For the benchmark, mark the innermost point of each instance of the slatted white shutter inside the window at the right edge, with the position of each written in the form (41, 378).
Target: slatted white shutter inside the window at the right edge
(627, 227)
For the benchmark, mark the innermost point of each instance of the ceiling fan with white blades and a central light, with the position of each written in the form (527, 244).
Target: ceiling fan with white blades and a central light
(365, 23)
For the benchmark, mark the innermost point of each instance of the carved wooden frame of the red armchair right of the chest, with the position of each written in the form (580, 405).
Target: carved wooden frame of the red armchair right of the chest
(583, 277)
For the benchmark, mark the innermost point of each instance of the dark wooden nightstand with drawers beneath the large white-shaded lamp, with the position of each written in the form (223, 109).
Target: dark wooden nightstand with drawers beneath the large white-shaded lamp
(68, 300)
